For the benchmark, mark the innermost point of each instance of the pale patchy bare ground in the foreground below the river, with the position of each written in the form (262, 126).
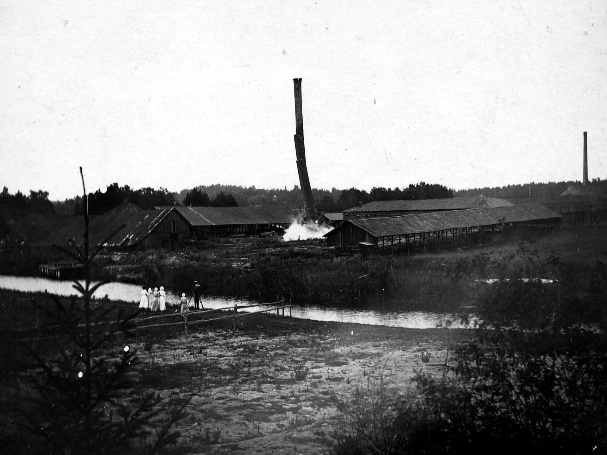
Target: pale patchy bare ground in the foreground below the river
(274, 387)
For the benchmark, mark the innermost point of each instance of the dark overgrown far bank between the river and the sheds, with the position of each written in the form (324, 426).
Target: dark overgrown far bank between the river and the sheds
(307, 272)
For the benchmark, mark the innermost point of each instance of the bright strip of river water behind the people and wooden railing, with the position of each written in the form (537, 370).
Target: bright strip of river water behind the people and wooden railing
(132, 293)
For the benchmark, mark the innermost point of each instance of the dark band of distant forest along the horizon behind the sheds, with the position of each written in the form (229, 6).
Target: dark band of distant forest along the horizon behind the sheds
(334, 200)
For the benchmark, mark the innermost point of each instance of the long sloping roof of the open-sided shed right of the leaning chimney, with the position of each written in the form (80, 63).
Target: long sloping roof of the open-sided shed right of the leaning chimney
(453, 219)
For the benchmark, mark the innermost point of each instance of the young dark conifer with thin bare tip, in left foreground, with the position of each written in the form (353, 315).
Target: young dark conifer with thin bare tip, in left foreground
(85, 399)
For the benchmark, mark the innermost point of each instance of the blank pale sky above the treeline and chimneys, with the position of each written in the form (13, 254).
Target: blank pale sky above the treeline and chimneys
(176, 94)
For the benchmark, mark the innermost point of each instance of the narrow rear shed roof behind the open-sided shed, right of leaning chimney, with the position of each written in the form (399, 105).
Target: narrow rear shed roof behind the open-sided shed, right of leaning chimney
(457, 203)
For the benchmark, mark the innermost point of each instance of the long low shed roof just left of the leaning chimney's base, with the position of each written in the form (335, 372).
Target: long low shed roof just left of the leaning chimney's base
(217, 216)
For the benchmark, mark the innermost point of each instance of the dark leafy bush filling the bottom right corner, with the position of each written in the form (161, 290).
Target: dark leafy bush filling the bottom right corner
(532, 380)
